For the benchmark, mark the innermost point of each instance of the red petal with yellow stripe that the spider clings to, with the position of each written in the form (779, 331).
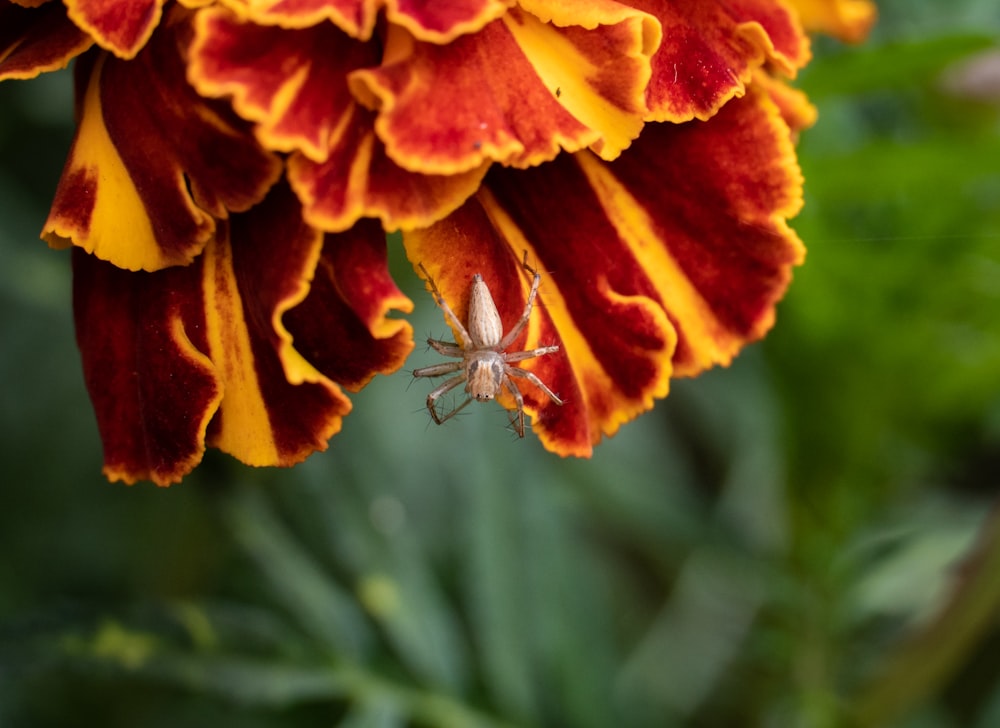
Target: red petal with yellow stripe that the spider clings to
(615, 343)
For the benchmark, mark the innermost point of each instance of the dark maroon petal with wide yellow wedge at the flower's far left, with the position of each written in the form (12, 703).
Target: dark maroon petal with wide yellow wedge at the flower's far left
(139, 189)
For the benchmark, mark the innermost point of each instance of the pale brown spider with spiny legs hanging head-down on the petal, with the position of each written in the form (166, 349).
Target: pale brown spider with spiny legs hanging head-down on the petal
(485, 365)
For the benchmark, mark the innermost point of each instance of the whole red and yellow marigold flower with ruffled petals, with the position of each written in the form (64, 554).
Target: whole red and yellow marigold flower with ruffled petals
(237, 164)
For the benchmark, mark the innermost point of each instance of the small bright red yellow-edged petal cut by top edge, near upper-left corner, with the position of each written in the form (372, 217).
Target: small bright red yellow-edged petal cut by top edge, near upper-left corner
(120, 26)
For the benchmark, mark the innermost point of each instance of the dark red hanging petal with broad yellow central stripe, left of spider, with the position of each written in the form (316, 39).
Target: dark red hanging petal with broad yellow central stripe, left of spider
(277, 409)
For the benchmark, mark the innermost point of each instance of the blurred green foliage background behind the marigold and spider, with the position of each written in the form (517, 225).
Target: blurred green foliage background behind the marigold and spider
(808, 538)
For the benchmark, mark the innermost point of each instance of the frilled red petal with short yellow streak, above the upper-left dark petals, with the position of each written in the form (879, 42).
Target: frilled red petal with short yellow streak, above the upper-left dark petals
(290, 83)
